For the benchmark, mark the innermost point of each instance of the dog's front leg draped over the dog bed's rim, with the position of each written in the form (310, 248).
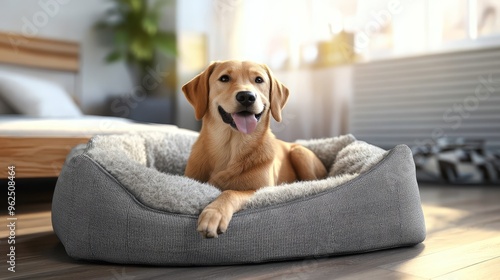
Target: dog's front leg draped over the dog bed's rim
(214, 219)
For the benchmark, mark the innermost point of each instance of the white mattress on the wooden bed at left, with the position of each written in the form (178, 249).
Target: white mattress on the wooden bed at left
(84, 126)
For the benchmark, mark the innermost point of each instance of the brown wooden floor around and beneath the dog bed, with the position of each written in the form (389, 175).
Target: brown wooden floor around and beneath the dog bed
(463, 242)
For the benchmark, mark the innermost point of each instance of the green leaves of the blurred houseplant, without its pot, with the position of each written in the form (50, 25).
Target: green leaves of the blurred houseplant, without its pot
(137, 38)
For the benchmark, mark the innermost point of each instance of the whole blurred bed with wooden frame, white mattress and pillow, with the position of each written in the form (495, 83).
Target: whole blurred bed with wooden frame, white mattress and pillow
(37, 87)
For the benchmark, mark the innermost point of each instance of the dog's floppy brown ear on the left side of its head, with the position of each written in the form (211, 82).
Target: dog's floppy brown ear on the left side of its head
(196, 91)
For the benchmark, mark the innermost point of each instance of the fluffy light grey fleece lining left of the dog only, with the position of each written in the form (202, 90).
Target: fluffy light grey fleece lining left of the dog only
(150, 166)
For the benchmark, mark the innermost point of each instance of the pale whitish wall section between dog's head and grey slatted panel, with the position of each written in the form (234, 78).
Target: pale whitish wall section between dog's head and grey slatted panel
(318, 104)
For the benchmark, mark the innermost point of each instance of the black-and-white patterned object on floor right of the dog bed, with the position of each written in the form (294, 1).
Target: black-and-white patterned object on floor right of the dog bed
(457, 161)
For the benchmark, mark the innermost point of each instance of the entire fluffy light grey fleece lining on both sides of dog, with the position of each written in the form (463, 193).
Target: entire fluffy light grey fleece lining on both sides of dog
(151, 167)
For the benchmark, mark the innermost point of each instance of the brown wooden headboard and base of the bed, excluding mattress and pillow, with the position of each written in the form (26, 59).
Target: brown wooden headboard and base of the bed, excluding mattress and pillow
(33, 56)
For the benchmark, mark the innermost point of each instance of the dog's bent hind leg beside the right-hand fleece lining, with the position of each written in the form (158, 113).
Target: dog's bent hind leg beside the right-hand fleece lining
(306, 164)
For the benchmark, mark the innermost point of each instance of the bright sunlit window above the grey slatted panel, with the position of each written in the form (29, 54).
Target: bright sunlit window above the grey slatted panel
(317, 33)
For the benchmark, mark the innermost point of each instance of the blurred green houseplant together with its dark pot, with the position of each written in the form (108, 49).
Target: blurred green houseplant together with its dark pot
(134, 29)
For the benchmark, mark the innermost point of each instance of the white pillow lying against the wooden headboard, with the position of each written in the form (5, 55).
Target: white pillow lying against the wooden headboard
(36, 97)
